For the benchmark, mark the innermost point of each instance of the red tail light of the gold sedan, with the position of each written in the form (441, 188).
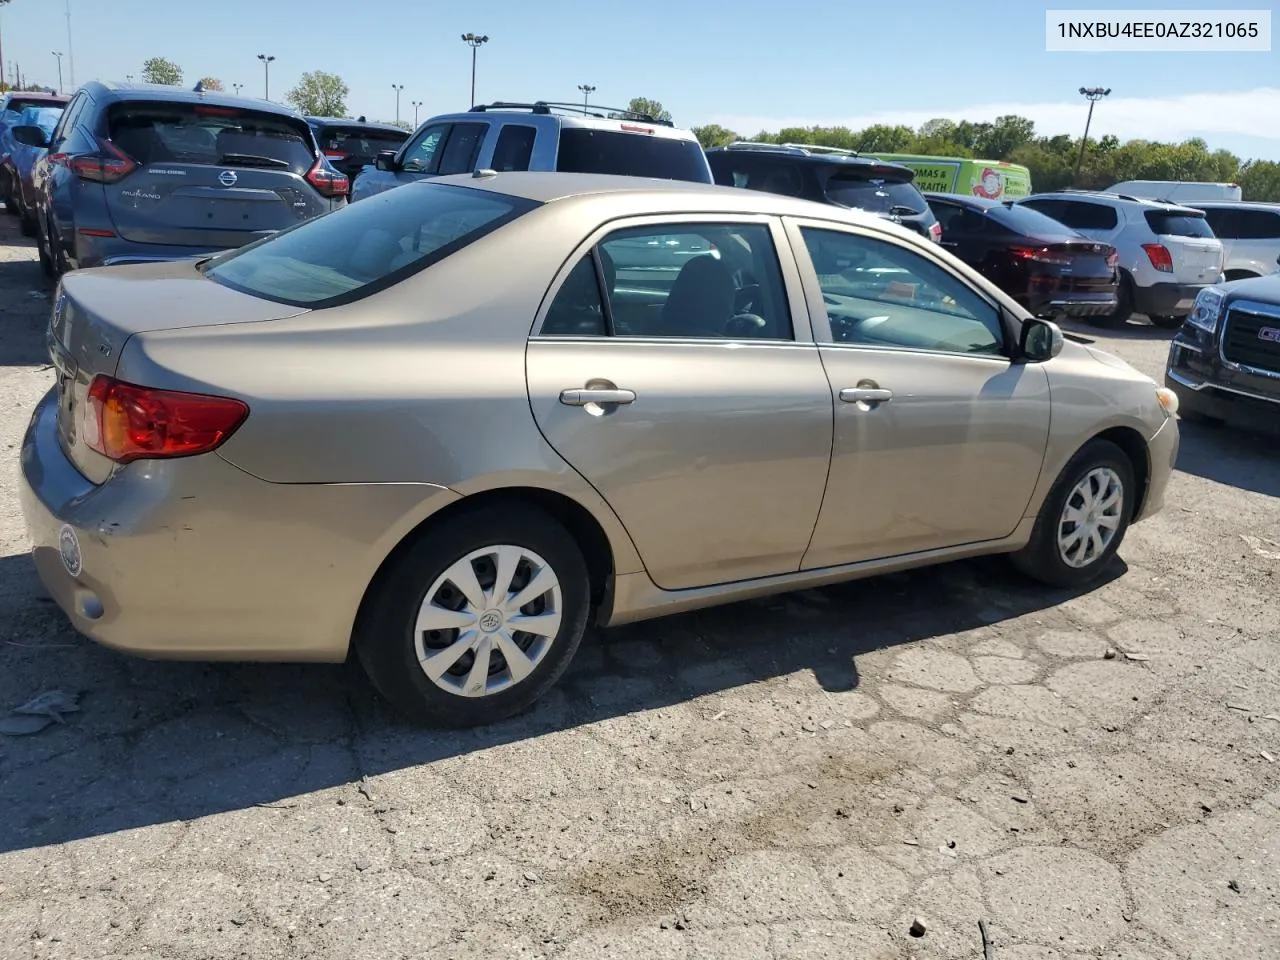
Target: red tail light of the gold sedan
(125, 422)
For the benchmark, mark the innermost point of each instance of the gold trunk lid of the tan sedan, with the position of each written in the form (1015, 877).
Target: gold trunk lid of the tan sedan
(97, 312)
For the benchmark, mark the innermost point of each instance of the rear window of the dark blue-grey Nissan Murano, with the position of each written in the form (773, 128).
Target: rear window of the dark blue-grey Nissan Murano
(195, 134)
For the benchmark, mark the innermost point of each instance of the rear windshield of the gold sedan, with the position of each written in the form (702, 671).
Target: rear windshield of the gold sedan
(365, 248)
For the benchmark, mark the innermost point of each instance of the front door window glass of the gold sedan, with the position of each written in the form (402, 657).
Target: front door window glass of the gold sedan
(881, 295)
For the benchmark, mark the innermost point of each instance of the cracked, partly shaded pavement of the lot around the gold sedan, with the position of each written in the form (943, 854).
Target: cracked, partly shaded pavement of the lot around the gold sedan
(802, 778)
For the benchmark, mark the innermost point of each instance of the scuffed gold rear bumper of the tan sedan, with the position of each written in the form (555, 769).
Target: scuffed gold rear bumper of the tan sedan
(194, 559)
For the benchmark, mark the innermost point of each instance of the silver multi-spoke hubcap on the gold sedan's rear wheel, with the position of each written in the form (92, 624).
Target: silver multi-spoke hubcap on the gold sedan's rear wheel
(488, 621)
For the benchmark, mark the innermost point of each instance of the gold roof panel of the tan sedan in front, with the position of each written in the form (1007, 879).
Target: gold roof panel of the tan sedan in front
(676, 196)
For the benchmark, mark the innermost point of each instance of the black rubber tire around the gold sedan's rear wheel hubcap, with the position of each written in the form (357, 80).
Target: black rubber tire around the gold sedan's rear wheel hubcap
(385, 637)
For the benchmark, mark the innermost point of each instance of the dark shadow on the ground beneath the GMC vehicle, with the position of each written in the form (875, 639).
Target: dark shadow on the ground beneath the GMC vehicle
(1233, 455)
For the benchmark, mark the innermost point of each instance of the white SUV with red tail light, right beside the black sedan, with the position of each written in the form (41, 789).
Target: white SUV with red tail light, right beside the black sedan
(1168, 253)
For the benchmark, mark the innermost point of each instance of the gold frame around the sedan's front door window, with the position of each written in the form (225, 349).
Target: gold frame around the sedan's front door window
(1011, 322)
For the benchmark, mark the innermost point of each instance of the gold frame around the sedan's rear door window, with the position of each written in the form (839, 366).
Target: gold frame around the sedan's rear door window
(802, 330)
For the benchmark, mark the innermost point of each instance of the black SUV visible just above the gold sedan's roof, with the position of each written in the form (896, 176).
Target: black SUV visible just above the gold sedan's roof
(828, 176)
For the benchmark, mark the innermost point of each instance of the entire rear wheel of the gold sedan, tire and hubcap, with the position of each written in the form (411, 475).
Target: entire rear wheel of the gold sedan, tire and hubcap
(478, 619)
